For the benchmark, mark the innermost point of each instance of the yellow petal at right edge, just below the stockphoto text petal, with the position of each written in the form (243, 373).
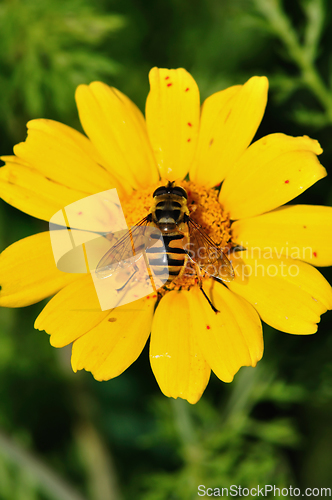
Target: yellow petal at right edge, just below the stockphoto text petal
(288, 294)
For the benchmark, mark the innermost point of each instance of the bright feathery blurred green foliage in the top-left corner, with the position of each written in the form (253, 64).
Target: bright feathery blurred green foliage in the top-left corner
(48, 48)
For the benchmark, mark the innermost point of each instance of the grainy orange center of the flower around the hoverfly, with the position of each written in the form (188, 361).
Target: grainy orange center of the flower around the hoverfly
(205, 210)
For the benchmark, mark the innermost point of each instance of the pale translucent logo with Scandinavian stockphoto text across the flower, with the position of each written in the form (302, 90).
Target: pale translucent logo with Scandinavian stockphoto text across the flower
(91, 236)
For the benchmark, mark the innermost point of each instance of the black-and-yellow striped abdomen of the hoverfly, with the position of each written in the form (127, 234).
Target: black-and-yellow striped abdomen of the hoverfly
(166, 262)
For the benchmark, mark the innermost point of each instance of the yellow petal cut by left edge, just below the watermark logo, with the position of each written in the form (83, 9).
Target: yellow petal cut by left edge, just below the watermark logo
(28, 273)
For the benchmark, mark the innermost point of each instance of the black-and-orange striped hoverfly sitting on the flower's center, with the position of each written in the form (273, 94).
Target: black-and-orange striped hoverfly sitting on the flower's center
(183, 240)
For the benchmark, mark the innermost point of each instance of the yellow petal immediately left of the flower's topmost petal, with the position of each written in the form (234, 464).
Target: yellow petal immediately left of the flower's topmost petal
(117, 129)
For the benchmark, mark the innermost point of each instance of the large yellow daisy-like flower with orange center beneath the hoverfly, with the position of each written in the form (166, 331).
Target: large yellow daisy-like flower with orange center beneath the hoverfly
(275, 278)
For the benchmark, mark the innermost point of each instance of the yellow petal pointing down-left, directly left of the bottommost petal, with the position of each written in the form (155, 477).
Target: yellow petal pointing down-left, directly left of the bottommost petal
(116, 342)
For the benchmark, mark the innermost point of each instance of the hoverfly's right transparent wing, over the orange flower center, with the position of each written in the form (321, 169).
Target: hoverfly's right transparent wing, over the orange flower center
(206, 253)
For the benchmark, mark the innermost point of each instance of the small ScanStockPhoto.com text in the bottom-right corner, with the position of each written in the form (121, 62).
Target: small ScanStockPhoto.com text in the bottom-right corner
(267, 490)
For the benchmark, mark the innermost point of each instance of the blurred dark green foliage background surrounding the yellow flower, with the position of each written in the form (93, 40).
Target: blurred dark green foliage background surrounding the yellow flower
(68, 437)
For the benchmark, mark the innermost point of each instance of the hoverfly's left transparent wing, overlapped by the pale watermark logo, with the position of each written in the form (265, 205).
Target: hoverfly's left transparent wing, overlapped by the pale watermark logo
(127, 248)
